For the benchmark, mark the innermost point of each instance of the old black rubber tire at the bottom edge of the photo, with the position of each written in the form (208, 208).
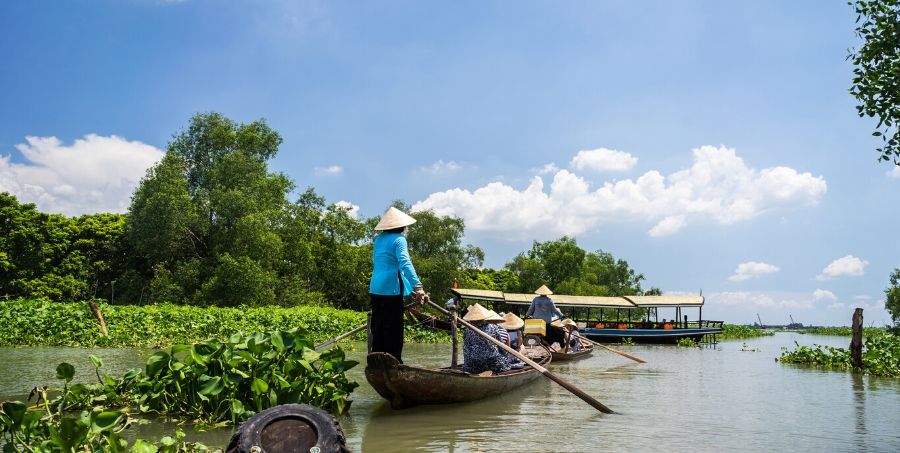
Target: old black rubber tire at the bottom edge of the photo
(289, 428)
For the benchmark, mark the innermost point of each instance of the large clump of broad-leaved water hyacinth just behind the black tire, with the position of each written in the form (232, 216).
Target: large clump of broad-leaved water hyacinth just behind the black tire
(226, 382)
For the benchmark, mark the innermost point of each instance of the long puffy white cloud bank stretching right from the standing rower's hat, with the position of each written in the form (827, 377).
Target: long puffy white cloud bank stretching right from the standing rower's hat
(718, 185)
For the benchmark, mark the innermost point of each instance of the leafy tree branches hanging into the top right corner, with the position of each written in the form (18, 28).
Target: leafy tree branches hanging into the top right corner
(876, 81)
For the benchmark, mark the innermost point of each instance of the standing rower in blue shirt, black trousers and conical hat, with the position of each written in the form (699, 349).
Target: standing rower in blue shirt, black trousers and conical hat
(393, 279)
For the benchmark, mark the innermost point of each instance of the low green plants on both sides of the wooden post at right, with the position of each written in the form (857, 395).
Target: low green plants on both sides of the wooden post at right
(881, 355)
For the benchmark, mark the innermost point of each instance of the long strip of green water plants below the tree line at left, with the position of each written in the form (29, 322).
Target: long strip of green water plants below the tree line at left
(44, 323)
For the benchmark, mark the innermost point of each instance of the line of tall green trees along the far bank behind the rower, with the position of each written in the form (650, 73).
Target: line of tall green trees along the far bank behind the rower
(210, 224)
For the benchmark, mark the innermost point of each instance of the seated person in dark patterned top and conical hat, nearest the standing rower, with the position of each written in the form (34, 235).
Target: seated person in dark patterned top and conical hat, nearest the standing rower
(479, 354)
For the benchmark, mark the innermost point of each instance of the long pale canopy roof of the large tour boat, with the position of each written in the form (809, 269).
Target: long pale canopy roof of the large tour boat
(562, 300)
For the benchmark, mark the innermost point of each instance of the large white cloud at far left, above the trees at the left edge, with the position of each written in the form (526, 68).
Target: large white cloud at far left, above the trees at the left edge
(93, 174)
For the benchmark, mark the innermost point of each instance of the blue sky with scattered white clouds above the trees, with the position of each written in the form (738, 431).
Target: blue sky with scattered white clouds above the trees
(712, 145)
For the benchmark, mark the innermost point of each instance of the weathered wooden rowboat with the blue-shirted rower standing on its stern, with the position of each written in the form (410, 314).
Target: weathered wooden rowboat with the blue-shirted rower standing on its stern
(406, 386)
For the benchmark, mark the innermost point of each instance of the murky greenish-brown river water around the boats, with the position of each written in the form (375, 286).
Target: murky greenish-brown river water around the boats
(730, 397)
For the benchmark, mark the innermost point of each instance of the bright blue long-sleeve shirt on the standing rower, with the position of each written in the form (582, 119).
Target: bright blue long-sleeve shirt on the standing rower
(390, 255)
